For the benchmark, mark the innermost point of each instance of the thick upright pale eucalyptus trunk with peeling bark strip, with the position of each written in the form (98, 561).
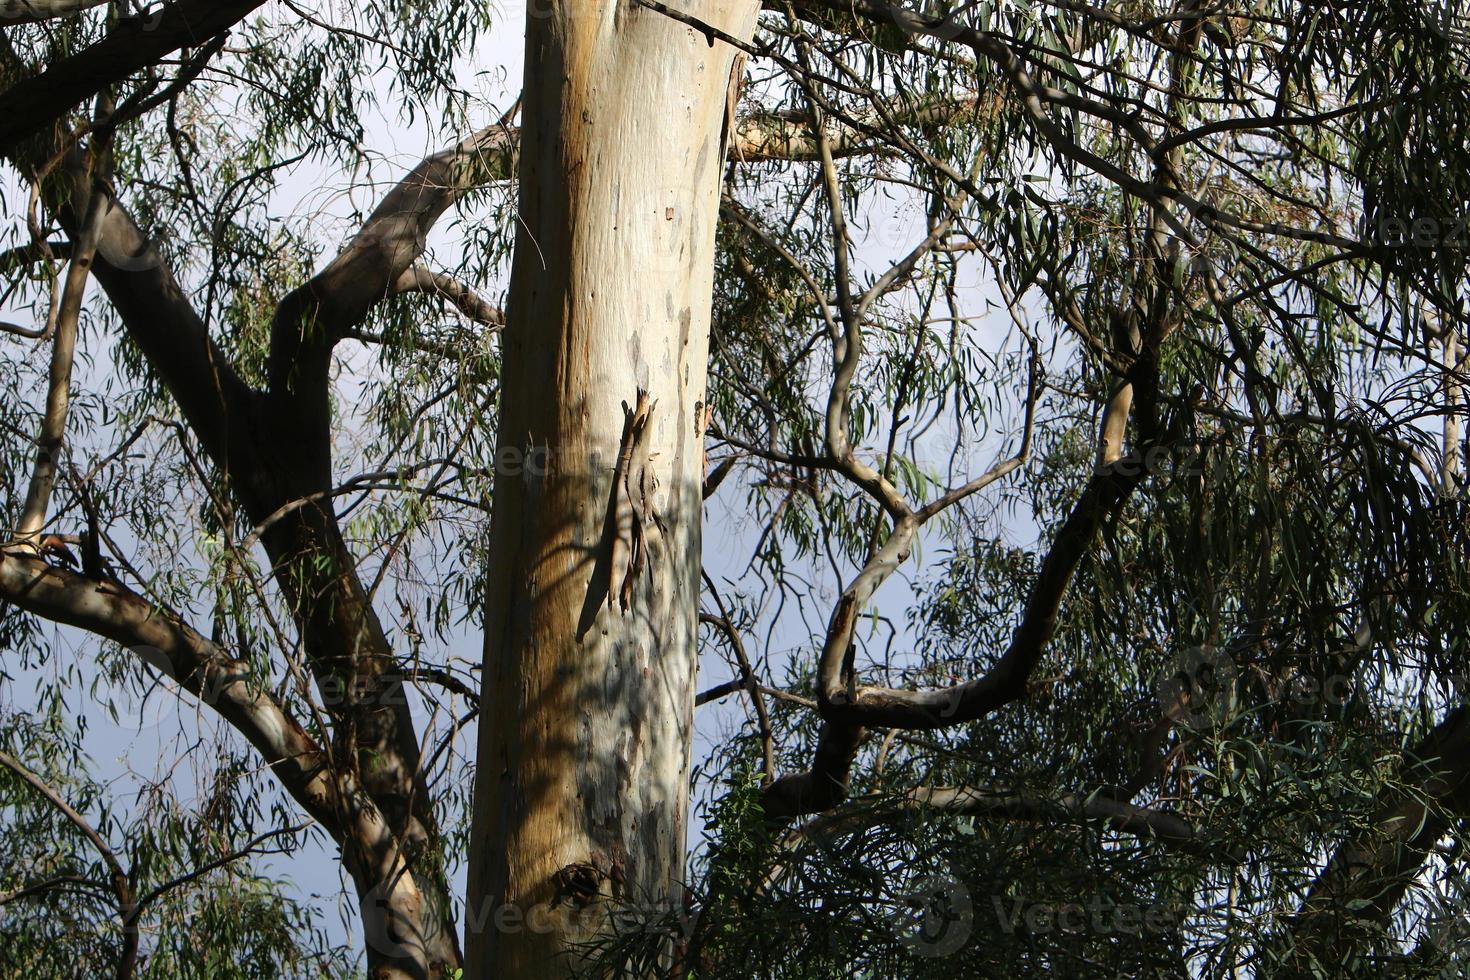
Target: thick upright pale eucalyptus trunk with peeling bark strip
(584, 753)
